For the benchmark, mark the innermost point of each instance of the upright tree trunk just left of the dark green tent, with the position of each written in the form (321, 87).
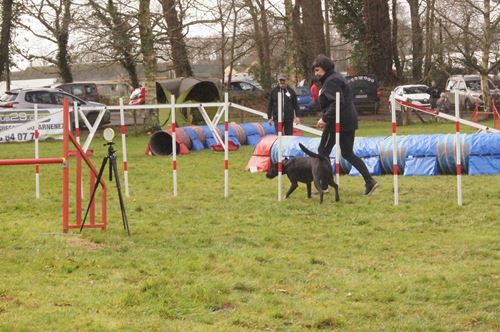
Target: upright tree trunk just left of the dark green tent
(151, 121)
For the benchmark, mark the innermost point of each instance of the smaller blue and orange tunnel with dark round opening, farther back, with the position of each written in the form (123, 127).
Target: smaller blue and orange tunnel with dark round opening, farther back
(195, 138)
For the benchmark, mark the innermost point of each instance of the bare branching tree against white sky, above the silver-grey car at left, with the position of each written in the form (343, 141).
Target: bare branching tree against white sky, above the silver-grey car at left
(55, 17)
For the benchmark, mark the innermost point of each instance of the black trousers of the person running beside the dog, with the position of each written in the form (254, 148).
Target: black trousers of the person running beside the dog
(346, 148)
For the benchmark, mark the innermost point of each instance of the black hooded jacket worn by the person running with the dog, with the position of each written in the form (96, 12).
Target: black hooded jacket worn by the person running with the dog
(333, 82)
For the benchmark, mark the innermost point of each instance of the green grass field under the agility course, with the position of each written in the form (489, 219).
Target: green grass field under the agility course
(199, 262)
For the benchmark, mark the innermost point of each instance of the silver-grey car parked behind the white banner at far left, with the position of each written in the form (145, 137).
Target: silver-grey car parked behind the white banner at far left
(49, 98)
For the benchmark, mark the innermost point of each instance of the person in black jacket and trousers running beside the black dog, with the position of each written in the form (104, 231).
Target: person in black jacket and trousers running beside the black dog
(333, 82)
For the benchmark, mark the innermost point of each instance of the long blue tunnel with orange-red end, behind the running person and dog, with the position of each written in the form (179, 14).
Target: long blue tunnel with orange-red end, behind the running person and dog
(416, 154)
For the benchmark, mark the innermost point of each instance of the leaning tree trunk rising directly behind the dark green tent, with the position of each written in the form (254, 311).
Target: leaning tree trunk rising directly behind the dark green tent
(180, 58)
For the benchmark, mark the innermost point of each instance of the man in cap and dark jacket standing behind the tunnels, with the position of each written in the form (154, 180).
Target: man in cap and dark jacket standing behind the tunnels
(289, 104)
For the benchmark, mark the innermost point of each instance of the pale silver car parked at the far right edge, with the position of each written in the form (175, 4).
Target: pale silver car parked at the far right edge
(469, 90)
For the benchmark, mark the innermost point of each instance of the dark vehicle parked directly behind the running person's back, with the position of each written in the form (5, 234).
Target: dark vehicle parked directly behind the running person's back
(365, 92)
